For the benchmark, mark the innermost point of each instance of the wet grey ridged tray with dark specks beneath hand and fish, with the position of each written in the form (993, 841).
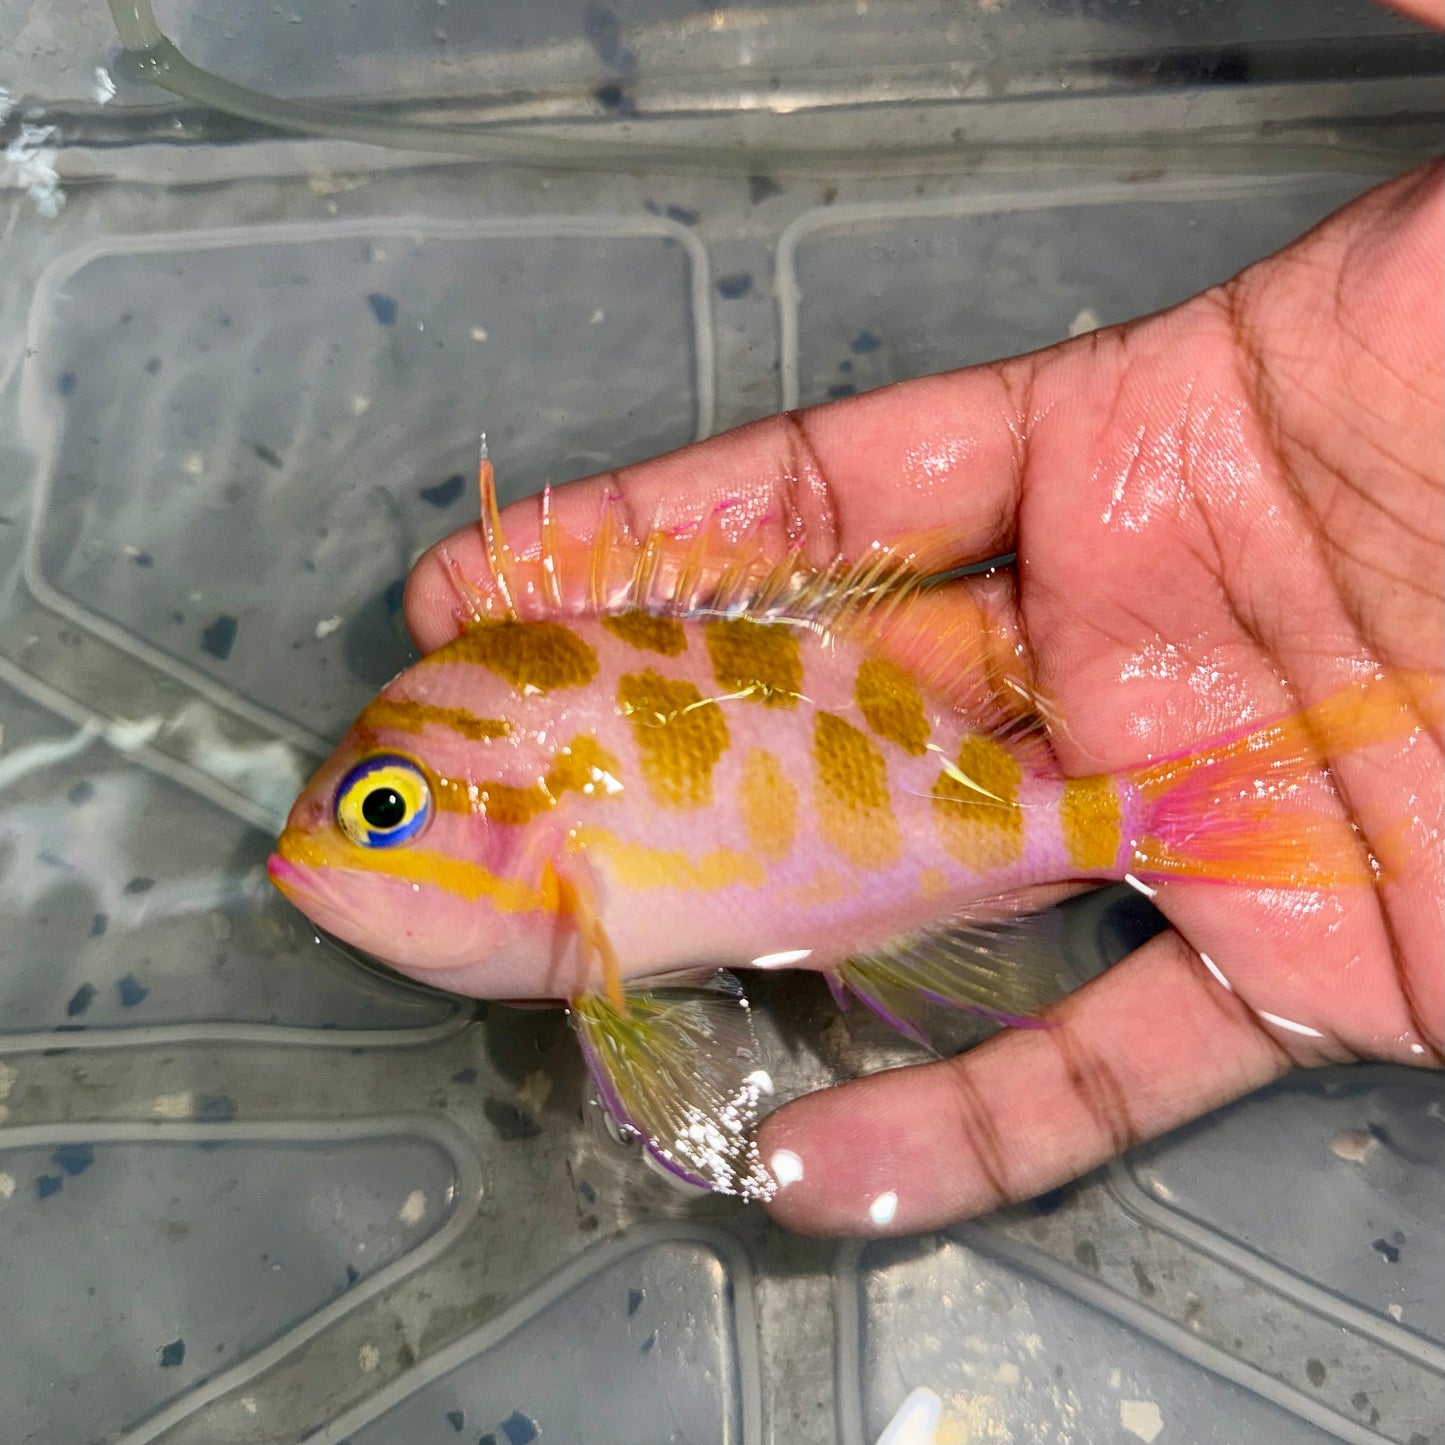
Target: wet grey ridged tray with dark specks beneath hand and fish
(254, 1193)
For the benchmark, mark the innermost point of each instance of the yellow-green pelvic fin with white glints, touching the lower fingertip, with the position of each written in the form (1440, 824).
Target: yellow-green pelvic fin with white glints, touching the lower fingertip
(683, 1067)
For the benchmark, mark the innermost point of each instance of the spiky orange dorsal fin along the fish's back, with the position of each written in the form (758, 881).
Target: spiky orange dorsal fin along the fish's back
(894, 600)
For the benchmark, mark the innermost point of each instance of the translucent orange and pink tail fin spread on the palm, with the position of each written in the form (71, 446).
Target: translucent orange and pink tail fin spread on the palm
(1258, 807)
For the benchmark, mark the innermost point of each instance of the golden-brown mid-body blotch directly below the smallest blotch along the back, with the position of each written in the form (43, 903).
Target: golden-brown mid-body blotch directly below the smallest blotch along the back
(680, 736)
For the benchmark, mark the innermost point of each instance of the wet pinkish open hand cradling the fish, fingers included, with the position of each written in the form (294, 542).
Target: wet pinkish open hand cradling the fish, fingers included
(1219, 512)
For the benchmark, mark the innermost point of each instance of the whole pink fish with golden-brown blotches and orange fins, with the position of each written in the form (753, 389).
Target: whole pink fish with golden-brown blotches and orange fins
(650, 761)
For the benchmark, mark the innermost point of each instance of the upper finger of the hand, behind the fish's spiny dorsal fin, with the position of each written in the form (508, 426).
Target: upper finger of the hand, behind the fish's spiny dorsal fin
(836, 478)
